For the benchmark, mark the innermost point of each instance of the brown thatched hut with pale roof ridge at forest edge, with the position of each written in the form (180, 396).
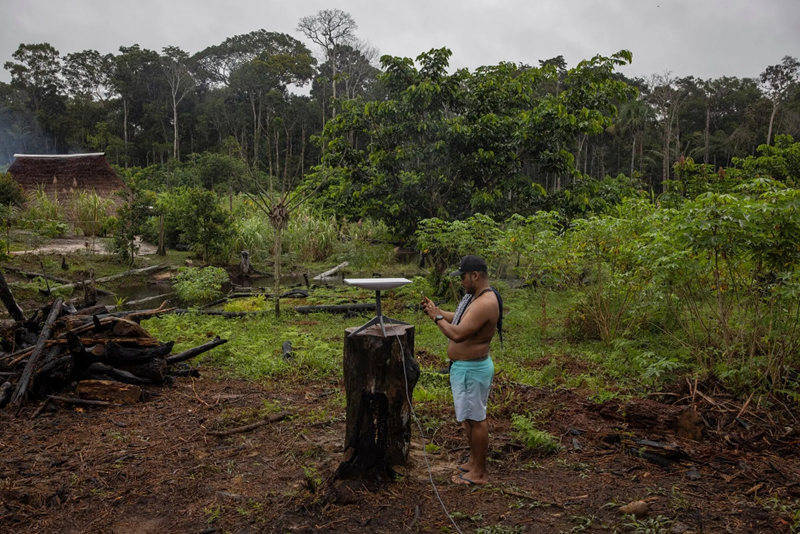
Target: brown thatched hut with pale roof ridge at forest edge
(65, 173)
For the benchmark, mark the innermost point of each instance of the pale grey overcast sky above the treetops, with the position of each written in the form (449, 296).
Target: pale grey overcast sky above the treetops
(705, 38)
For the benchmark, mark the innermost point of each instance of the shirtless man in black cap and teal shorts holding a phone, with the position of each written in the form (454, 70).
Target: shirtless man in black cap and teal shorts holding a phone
(470, 329)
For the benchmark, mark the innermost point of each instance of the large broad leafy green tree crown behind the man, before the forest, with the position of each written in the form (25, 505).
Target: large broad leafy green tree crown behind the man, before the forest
(446, 145)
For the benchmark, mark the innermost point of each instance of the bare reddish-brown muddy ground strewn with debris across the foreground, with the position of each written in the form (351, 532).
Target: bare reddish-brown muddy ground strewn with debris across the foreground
(154, 467)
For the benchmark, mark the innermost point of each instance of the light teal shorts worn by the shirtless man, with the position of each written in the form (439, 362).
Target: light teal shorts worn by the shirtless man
(470, 381)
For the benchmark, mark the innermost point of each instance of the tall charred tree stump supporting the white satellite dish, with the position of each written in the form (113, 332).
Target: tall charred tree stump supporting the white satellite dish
(378, 428)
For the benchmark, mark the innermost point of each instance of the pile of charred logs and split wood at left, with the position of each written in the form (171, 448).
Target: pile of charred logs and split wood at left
(102, 358)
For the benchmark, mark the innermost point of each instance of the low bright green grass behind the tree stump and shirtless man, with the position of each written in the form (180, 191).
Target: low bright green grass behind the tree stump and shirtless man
(537, 349)
